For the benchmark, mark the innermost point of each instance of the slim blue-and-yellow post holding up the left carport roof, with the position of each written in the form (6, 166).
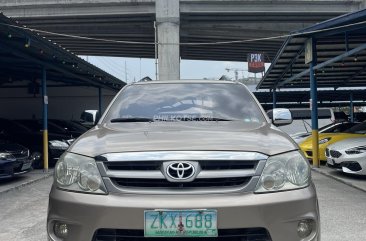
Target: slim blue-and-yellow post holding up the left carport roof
(45, 119)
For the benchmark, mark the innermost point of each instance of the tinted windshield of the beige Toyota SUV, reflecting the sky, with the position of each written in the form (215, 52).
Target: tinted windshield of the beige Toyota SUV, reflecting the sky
(189, 101)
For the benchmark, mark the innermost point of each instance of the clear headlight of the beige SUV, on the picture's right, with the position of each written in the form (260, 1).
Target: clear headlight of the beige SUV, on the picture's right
(284, 172)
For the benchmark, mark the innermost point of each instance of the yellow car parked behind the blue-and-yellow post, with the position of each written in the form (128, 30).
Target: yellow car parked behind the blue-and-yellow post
(325, 139)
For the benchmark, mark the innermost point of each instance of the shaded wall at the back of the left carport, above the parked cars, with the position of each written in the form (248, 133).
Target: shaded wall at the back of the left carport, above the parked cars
(63, 102)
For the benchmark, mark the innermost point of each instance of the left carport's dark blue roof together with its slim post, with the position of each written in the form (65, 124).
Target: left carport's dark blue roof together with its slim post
(31, 60)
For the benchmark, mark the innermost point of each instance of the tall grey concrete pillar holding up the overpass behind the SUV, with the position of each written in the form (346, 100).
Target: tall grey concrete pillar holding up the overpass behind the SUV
(167, 21)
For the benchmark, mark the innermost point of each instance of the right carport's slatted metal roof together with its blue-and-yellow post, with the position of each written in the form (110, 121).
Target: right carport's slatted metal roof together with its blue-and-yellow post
(328, 54)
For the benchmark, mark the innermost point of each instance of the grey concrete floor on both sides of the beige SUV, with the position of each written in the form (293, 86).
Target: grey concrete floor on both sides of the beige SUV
(342, 209)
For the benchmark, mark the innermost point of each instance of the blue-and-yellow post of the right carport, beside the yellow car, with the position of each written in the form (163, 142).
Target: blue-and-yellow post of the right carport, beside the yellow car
(314, 107)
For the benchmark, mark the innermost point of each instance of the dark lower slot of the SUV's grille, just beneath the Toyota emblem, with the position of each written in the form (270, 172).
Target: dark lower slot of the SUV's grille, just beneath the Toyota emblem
(197, 183)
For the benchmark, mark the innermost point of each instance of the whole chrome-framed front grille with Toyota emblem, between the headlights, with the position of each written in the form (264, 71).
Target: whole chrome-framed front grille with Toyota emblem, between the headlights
(213, 172)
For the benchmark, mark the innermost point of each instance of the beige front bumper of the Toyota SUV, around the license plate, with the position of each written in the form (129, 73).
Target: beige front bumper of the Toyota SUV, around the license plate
(279, 213)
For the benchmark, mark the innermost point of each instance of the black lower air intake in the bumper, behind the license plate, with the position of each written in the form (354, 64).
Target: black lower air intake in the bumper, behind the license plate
(245, 234)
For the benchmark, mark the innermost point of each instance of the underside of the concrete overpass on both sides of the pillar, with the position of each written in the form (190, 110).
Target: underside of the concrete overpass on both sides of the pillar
(200, 21)
